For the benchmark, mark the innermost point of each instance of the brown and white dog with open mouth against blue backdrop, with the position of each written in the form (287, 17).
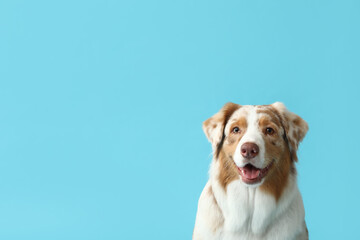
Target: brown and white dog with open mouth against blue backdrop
(252, 191)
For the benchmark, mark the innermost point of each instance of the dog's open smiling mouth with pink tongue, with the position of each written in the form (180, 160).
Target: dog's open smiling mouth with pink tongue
(251, 174)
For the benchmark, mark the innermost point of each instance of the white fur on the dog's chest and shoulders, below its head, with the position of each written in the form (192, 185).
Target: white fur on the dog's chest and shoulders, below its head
(250, 213)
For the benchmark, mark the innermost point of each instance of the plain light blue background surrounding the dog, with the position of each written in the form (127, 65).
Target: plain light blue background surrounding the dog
(102, 102)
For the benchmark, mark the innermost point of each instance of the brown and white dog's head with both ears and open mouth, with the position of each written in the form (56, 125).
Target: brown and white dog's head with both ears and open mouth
(256, 142)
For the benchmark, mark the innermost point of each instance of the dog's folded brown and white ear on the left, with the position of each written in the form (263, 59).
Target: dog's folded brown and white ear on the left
(214, 126)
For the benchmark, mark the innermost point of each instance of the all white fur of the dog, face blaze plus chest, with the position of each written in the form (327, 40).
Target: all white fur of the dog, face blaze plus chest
(246, 211)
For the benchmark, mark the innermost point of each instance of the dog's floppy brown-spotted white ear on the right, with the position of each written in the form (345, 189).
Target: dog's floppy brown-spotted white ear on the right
(295, 127)
